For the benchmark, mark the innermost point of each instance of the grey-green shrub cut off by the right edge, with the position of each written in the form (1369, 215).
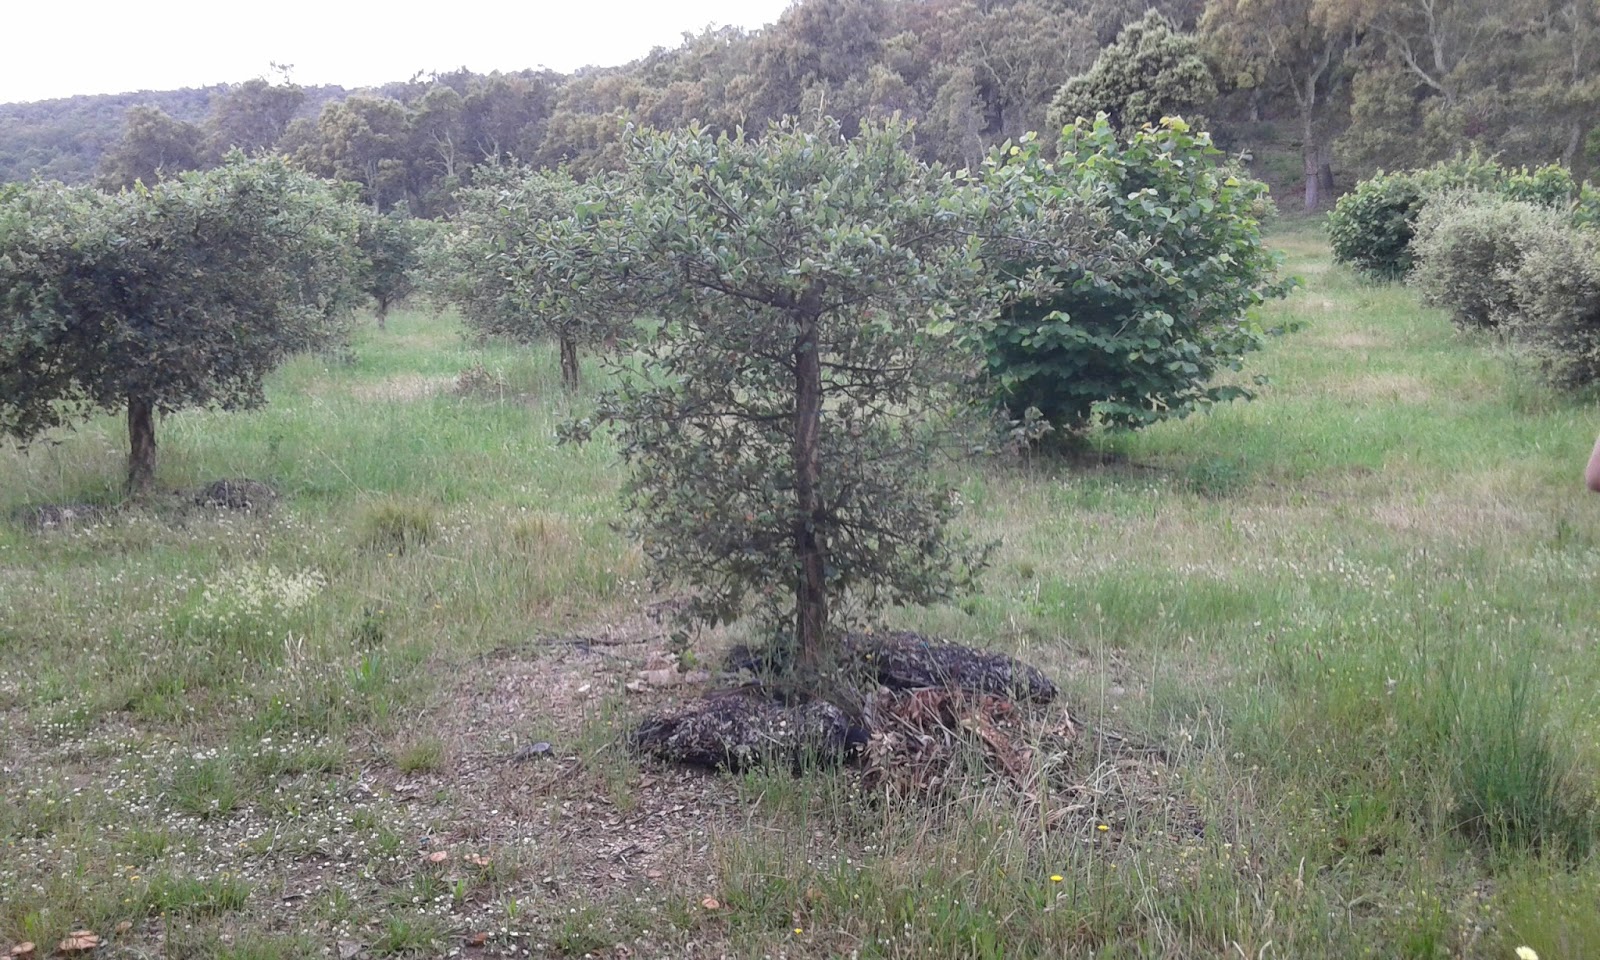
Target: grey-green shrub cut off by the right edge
(1558, 292)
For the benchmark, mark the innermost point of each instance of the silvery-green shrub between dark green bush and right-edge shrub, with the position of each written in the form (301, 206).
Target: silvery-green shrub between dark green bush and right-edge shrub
(1470, 250)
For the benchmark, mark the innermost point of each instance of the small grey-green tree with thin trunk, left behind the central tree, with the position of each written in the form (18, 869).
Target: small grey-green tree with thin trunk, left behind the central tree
(527, 262)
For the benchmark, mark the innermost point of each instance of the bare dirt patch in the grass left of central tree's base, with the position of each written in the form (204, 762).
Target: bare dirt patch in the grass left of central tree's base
(609, 823)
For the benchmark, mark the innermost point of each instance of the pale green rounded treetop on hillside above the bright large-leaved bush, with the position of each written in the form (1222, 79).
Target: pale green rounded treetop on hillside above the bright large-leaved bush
(1153, 71)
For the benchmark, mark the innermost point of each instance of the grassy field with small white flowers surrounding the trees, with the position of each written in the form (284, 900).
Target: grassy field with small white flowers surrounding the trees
(1332, 662)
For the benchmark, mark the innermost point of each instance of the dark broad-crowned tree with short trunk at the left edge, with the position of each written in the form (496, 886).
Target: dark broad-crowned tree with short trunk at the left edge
(161, 298)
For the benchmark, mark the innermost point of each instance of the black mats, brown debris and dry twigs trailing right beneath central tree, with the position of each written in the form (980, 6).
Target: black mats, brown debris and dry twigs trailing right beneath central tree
(935, 721)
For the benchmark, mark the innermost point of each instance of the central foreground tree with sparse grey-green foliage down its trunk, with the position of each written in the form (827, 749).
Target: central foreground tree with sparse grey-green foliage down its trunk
(812, 298)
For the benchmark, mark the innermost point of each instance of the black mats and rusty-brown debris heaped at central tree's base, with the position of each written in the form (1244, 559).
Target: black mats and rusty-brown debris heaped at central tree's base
(911, 697)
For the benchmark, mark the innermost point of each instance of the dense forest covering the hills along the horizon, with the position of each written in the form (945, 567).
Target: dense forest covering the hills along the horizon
(1313, 94)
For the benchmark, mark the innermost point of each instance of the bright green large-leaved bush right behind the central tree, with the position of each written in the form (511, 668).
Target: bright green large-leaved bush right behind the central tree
(1138, 342)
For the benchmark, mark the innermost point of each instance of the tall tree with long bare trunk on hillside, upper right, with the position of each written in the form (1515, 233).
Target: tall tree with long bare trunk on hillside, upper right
(1295, 46)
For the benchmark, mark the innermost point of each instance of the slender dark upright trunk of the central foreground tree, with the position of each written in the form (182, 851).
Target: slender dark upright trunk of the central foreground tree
(812, 588)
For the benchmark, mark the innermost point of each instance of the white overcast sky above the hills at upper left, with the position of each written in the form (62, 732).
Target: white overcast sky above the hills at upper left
(65, 49)
